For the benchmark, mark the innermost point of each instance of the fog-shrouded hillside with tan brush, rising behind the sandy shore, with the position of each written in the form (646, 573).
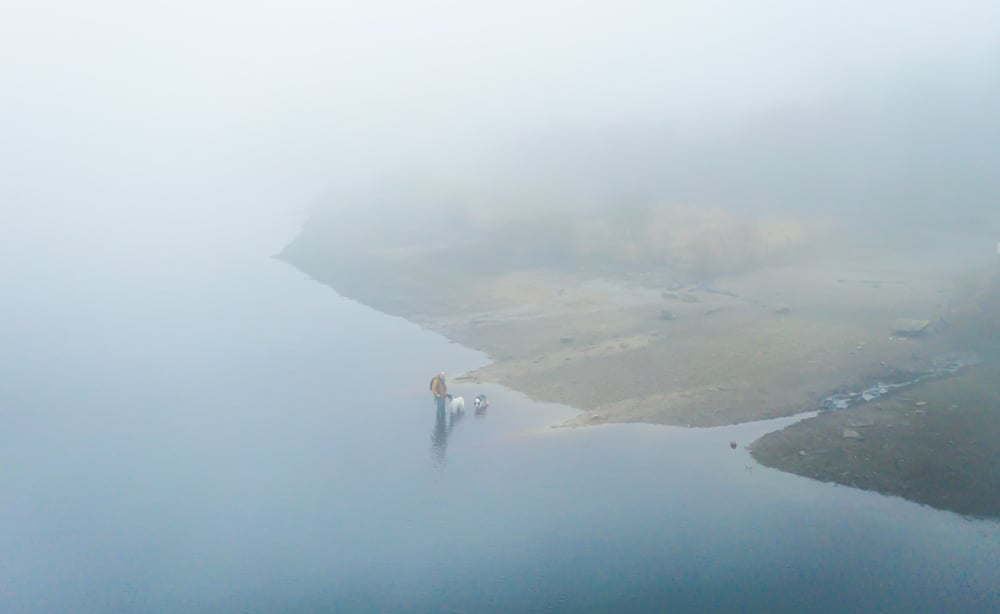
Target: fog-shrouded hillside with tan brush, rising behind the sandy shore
(888, 164)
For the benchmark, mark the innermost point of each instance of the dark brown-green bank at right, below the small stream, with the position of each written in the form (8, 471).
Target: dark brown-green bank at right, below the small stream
(934, 443)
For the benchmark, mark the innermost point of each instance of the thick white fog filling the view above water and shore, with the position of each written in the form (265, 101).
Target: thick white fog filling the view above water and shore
(124, 120)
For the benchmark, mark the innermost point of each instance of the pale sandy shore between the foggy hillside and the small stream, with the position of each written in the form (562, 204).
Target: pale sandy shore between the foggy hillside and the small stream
(768, 343)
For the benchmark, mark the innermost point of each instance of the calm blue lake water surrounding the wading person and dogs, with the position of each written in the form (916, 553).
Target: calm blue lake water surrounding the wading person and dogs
(233, 437)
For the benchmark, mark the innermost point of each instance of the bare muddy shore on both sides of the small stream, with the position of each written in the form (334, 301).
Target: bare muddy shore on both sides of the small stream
(777, 342)
